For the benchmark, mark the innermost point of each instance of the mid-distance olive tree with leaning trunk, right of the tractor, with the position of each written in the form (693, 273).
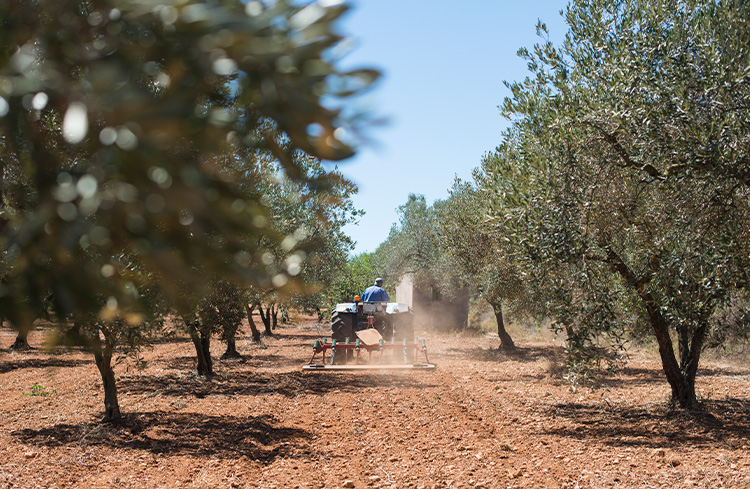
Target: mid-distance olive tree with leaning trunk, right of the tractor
(448, 246)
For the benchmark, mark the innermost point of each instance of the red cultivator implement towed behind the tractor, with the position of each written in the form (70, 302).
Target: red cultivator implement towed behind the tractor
(380, 355)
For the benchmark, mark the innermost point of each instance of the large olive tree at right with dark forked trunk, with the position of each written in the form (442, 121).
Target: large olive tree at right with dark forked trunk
(622, 184)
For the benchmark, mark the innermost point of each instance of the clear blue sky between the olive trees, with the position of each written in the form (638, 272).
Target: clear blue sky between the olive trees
(443, 66)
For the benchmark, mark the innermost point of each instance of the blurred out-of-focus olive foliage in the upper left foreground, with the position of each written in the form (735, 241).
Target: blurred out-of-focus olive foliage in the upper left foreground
(122, 120)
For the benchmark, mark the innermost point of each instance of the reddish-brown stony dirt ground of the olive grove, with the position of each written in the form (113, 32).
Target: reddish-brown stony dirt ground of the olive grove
(482, 419)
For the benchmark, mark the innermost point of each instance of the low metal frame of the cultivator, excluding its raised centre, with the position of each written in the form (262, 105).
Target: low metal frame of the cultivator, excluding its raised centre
(356, 348)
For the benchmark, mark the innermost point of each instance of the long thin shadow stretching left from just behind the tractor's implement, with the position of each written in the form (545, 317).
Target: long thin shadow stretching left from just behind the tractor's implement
(246, 383)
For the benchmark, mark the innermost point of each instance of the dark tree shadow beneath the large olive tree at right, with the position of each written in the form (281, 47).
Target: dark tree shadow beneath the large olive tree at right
(719, 423)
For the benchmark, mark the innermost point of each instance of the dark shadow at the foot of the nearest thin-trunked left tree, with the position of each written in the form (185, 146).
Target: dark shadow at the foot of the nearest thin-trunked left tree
(261, 438)
